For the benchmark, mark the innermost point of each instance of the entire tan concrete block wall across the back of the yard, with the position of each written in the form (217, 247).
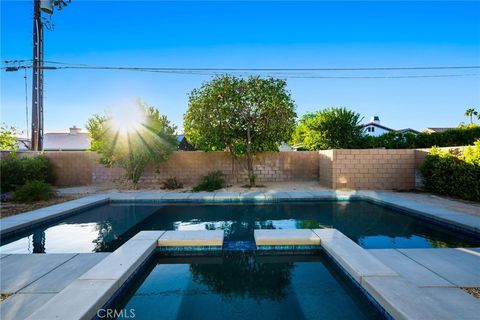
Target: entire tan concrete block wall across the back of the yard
(386, 169)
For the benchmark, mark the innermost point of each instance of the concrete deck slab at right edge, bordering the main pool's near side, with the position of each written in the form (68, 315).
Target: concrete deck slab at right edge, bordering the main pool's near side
(458, 266)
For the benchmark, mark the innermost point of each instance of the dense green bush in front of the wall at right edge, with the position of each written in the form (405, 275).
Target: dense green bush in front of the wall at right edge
(452, 174)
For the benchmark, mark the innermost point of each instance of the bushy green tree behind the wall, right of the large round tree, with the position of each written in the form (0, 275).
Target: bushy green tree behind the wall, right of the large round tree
(331, 128)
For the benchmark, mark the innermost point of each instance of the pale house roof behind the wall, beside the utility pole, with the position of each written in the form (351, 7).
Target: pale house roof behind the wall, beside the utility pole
(66, 141)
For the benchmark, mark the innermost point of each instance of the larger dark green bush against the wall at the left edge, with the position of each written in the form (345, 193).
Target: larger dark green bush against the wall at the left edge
(16, 171)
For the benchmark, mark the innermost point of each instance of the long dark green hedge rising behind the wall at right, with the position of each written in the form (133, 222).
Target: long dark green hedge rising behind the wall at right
(462, 136)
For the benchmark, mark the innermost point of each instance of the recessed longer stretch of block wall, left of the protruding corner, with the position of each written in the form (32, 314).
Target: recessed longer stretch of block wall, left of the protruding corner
(74, 168)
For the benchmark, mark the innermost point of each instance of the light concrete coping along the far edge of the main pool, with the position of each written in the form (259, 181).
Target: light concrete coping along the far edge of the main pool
(454, 220)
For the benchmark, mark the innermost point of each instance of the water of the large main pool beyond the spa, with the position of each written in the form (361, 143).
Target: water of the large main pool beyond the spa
(105, 228)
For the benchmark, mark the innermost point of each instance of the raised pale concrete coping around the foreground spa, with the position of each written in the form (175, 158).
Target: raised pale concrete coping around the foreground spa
(102, 283)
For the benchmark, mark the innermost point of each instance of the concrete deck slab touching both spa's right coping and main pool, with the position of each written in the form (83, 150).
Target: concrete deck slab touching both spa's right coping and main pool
(409, 269)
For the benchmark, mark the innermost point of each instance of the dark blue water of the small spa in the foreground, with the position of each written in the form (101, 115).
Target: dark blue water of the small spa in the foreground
(245, 286)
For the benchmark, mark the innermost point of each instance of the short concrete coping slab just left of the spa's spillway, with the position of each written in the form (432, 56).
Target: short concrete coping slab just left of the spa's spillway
(191, 238)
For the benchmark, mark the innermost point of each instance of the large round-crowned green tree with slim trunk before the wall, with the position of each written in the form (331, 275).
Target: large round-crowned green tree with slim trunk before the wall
(242, 116)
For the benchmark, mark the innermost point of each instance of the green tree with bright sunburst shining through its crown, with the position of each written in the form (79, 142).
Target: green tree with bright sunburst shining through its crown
(132, 140)
